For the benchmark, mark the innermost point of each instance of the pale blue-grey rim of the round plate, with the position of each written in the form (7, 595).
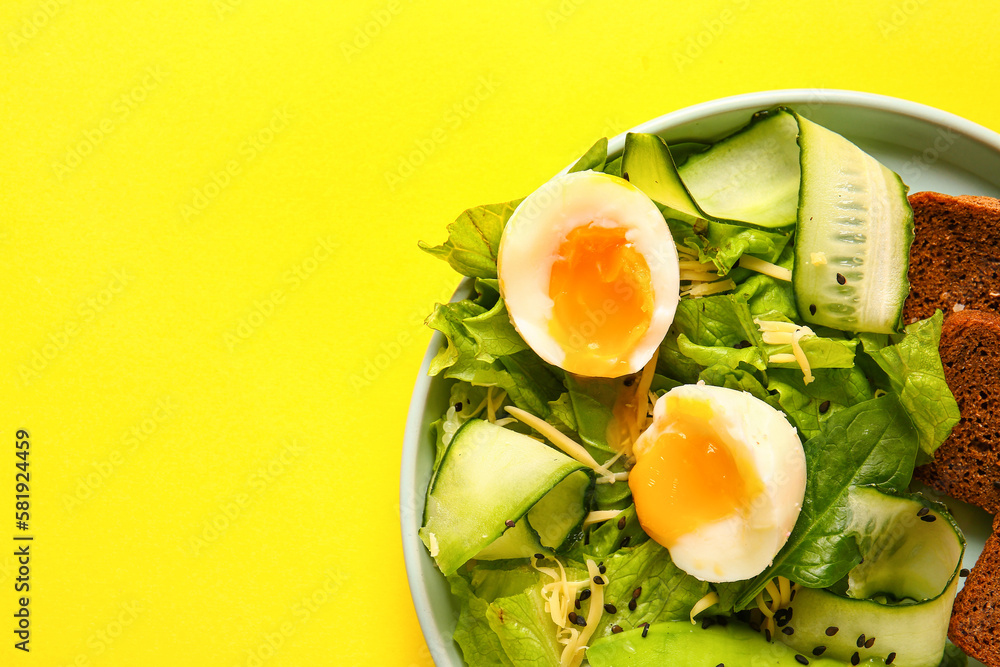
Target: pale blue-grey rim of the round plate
(409, 495)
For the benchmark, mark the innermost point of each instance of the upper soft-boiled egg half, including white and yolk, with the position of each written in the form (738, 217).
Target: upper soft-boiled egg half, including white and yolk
(588, 270)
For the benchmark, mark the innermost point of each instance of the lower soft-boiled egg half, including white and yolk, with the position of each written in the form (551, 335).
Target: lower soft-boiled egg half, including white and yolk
(719, 480)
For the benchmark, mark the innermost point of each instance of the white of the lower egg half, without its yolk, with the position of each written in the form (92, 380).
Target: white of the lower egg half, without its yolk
(743, 544)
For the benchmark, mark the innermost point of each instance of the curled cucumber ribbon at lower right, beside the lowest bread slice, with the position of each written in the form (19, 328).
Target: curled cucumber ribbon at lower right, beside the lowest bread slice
(899, 597)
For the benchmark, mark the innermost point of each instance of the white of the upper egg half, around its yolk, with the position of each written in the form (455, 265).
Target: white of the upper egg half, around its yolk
(531, 240)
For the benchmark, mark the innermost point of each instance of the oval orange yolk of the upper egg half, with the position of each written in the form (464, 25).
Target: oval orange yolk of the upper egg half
(602, 298)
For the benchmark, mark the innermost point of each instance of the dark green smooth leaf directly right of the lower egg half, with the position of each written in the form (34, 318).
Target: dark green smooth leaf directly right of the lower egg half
(871, 443)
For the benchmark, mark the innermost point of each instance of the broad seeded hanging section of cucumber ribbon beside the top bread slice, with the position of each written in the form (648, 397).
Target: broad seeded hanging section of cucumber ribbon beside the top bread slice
(854, 215)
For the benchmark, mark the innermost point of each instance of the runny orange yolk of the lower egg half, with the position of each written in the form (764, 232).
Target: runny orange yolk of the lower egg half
(688, 477)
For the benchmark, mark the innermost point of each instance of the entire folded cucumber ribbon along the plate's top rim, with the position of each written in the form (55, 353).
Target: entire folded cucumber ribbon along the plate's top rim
(853, 223)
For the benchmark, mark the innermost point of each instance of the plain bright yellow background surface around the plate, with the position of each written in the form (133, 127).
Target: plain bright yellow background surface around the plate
(212, 295)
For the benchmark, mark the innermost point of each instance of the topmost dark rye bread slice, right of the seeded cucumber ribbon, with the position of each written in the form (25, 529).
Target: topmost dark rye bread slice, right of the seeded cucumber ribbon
(954, 259)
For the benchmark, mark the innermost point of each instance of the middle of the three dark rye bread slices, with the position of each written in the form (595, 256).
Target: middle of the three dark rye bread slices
(967, 465)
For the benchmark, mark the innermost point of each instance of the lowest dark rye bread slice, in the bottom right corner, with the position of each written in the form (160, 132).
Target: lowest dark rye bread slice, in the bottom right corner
(975, 618)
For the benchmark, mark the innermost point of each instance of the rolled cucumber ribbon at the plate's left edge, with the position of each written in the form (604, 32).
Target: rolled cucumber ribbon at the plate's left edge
(489, 476)
